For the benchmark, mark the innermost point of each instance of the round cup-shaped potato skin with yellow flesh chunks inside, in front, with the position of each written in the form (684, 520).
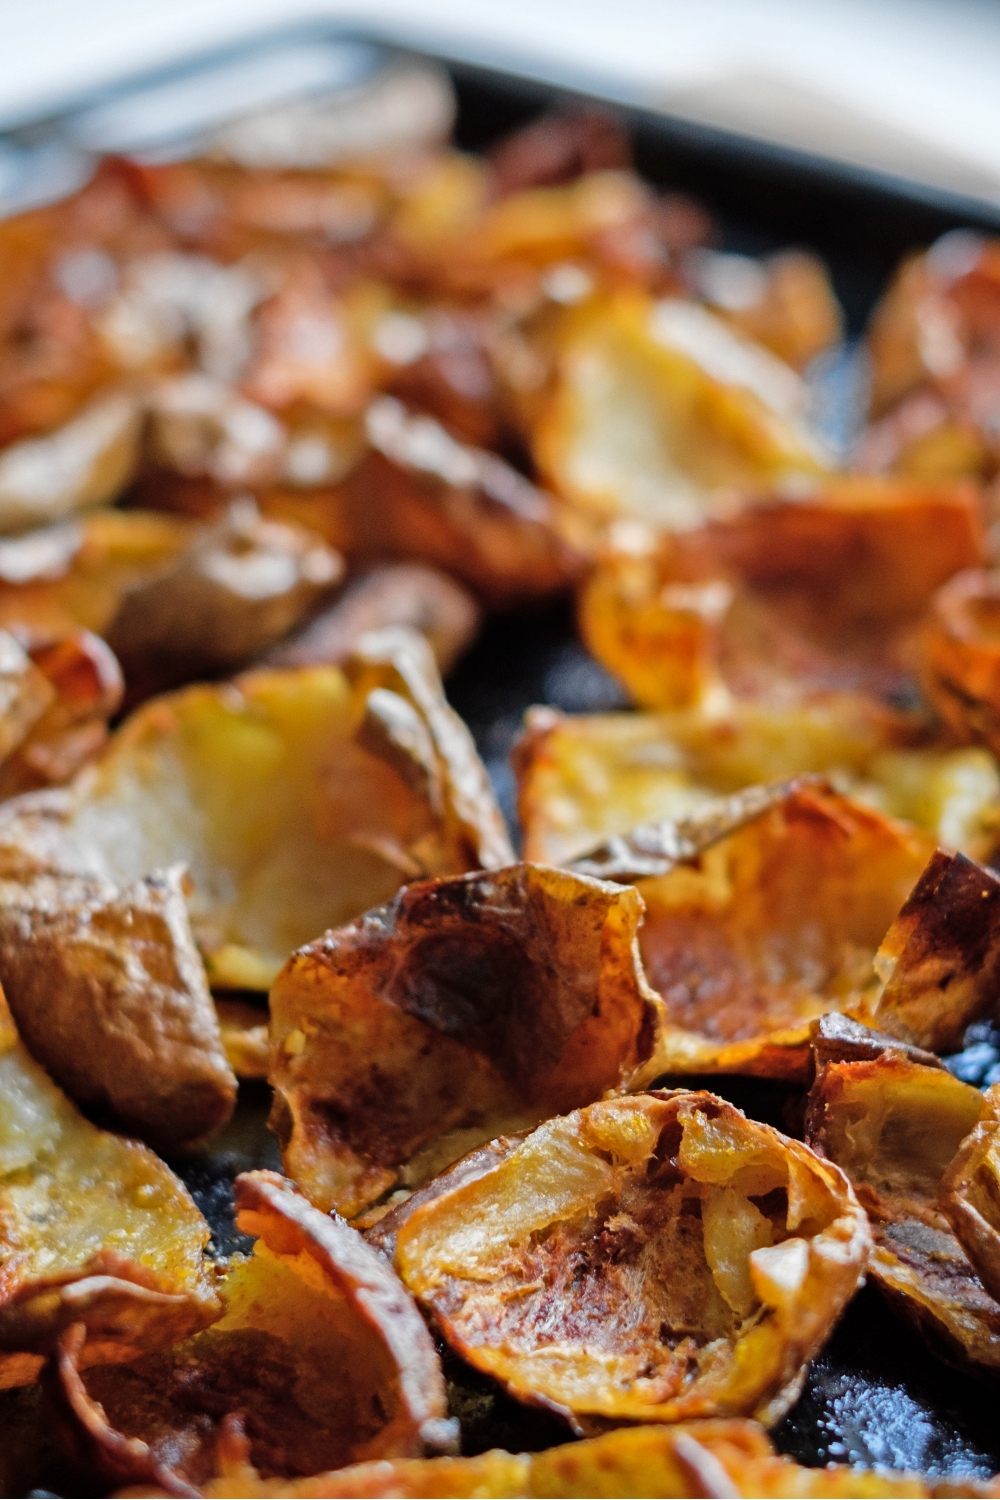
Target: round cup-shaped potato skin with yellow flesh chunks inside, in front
(491, 1318)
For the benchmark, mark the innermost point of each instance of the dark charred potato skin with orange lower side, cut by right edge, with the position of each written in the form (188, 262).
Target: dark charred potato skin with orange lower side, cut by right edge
(939, 964)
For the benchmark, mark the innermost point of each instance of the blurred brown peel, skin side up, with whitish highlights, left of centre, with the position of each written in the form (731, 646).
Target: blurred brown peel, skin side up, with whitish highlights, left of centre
(238, 590)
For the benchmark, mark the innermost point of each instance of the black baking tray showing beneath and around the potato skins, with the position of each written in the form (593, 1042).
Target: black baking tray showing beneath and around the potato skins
(876, 1396)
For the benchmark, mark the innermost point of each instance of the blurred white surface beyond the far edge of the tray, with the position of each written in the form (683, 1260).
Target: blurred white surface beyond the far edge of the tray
(905, 86)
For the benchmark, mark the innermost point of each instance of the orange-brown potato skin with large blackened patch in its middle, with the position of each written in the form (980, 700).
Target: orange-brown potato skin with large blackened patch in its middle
(466, 1009)
